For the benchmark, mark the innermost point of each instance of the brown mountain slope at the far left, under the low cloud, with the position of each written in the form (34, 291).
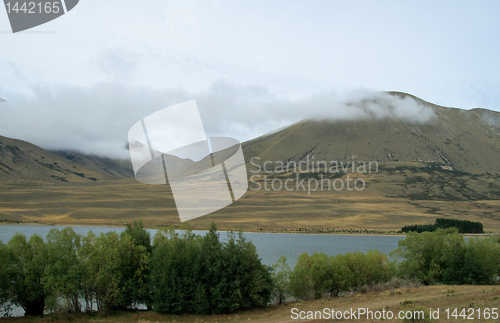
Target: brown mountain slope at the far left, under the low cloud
(22, 162)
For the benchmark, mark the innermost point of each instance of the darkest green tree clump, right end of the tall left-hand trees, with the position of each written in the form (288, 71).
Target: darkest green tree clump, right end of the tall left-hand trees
(202, 275)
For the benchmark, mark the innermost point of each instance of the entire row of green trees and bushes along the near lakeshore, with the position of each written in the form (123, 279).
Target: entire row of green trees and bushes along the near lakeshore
(186, 273)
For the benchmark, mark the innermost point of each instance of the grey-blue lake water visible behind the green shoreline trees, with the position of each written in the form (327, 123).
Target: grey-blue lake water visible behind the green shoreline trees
(270, 246)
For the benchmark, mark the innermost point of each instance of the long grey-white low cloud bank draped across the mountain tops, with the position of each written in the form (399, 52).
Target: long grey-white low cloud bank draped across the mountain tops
(97, 119)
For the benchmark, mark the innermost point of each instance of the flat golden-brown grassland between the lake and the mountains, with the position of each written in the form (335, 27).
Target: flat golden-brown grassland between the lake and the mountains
(382, 206)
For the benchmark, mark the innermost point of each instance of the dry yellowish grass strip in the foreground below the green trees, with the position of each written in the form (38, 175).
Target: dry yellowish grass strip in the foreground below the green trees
(395, 300)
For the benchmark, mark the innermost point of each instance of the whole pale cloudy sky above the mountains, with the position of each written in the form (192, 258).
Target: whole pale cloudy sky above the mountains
(81, 81)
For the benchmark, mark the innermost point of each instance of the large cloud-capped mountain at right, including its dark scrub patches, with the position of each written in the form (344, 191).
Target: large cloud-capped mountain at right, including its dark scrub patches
(452, 156)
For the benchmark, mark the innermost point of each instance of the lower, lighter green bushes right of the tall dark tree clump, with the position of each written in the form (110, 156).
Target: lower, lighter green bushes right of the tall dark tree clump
(439, 257)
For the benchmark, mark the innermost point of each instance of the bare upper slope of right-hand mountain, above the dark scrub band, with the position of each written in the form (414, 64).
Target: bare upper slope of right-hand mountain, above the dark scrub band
(455, 139)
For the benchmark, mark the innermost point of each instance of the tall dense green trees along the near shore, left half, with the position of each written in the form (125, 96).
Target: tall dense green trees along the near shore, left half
(175, 273)
